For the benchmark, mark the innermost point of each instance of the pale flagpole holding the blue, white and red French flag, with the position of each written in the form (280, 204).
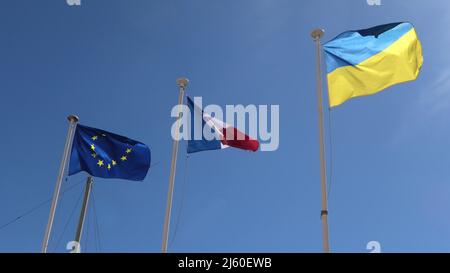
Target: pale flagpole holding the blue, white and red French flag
(182, 83)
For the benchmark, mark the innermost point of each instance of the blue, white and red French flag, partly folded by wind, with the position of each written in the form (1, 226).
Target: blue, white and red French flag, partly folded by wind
(220, 129)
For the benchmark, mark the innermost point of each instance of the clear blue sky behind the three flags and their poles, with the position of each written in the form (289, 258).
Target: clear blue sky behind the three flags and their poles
(114, 63)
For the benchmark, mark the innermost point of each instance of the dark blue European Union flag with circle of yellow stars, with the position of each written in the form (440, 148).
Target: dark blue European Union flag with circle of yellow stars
(107, 155)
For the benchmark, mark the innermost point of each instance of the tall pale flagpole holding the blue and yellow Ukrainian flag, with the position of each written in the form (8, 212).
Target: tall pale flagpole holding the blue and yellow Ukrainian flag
(316, 35)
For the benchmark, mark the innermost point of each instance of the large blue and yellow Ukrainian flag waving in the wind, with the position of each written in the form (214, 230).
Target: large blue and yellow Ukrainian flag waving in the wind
(364, 62)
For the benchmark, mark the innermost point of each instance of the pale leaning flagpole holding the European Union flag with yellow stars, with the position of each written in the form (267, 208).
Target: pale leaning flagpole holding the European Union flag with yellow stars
(72, 125)
